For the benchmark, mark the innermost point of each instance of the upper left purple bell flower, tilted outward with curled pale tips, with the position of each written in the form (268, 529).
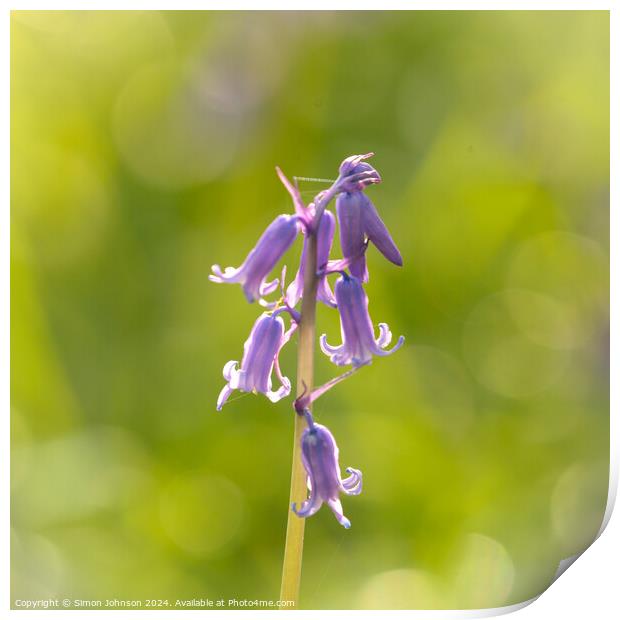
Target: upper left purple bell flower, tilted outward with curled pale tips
(253, 273)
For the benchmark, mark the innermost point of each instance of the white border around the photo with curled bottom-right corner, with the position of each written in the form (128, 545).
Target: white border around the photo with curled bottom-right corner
(571, 596)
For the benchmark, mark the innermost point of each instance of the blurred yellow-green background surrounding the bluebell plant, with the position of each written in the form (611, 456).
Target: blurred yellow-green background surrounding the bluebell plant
(143, 151)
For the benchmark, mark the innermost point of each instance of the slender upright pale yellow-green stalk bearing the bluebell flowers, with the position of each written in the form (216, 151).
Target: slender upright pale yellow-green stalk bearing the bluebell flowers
(293, 550)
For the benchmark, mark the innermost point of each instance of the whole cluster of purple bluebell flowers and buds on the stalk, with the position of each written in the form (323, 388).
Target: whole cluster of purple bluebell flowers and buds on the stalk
(359, 224)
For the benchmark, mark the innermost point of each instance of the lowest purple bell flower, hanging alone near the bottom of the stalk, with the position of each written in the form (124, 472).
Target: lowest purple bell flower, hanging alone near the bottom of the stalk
(319, 454)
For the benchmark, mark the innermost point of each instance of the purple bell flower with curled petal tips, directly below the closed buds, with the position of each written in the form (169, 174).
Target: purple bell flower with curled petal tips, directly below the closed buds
(358, 334)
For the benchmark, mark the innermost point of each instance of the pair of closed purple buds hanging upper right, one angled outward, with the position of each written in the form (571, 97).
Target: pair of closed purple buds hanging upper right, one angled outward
(358, 219)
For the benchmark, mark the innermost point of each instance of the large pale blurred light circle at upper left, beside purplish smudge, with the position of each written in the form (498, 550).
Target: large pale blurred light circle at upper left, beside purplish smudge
(169, 131)
